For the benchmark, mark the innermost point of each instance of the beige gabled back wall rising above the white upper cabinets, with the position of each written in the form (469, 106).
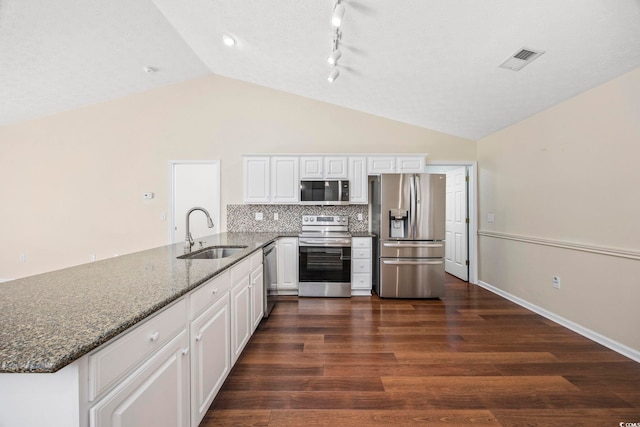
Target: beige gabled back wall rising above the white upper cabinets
(72, 183)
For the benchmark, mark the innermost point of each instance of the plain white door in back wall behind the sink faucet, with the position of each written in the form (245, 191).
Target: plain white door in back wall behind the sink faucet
(195, 184)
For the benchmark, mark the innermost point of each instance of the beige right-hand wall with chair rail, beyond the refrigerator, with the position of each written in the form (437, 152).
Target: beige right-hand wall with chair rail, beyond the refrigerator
(568, 175)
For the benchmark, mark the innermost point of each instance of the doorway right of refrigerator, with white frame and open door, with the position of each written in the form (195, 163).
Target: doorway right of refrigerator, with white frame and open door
(461, 224)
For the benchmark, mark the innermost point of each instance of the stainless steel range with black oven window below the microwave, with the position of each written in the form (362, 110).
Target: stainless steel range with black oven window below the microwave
(325, 257)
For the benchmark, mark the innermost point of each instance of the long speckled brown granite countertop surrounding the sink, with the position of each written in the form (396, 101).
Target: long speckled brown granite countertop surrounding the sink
(52, 319)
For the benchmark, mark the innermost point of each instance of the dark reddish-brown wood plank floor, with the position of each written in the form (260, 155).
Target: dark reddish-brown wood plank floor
(473, 358)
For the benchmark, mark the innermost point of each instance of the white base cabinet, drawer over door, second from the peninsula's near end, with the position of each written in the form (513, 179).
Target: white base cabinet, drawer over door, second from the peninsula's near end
(210, 341)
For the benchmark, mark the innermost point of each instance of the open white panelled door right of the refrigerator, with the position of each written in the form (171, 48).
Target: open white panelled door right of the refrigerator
(456, 254)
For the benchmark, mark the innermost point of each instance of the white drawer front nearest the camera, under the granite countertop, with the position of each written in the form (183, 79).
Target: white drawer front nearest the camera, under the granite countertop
(110, 363)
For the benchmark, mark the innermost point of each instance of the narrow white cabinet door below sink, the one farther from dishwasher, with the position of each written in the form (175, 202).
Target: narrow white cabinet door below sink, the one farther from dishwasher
(240, 317)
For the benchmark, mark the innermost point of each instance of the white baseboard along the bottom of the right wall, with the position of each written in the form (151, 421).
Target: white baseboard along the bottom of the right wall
(588, 333)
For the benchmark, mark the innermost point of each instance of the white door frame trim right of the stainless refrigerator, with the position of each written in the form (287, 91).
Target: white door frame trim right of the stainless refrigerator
(472, 206)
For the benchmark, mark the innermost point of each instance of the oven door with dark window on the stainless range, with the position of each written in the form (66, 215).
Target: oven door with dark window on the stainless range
(324, 271)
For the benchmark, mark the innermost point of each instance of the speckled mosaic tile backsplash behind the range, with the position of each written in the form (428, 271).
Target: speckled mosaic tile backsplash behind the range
(242, 218)
